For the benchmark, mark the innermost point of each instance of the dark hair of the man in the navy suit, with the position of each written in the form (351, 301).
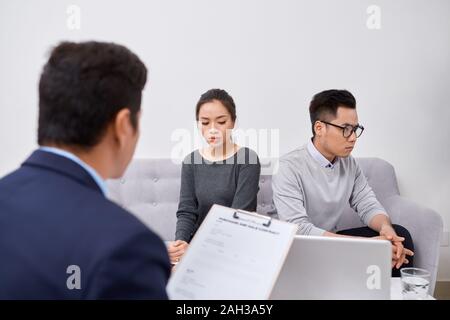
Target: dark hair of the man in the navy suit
(82, 88)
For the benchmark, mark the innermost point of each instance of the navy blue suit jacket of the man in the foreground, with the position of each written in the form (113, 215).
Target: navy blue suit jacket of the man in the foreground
(60, 238)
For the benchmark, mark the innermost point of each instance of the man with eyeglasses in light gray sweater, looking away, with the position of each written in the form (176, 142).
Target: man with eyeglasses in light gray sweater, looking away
(316, 182)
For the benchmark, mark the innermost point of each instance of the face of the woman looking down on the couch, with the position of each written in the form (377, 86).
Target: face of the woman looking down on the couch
(215, 123)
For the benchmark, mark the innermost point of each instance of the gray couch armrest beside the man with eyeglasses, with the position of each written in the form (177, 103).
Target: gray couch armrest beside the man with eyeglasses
(425, 227)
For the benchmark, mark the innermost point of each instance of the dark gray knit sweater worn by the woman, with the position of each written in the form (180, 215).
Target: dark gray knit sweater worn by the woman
(233, 182)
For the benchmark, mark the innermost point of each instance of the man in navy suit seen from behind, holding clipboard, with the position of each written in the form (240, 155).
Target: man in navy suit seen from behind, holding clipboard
(60, 237)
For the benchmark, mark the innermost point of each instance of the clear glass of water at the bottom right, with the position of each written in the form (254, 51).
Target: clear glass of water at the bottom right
(415, 283)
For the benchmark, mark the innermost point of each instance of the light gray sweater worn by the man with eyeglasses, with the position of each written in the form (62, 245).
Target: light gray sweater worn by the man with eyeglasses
(314, 195)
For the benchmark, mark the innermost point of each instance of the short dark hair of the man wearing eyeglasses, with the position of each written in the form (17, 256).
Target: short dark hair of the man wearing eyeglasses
(324, 105)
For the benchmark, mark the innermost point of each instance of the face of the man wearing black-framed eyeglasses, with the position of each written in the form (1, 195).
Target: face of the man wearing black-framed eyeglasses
(333, 140)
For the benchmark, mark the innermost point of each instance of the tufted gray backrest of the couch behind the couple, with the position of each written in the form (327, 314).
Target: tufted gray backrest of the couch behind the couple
(150, 190)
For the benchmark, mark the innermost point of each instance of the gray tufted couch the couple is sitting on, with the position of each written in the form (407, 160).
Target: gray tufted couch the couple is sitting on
(150, 190)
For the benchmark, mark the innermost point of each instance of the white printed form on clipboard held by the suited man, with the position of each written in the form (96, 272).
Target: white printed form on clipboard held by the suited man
(235, 254)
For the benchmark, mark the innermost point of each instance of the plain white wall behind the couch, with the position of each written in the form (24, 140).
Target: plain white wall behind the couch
(272, 56)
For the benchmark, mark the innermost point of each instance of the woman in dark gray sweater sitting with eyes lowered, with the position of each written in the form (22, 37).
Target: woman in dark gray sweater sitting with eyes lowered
(221, 173)
